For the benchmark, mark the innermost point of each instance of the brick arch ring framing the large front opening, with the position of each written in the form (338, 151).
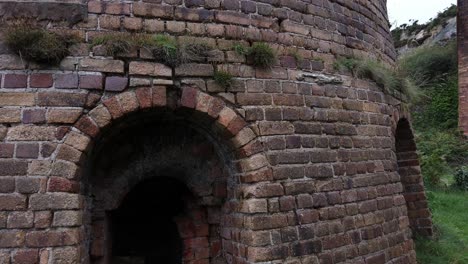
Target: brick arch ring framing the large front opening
(250, 163)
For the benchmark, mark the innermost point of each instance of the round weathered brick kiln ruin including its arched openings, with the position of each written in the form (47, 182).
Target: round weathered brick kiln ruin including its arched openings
(121, 159)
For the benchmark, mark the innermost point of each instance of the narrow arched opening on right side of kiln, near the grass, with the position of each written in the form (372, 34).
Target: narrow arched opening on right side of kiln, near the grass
(411, 178)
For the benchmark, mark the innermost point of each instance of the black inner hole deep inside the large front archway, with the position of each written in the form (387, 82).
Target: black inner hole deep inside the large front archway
(144, 229)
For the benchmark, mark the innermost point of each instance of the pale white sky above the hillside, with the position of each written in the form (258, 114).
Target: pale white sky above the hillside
(401, 11)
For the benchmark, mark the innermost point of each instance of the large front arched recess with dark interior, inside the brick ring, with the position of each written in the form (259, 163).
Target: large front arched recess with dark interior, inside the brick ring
(156, 189)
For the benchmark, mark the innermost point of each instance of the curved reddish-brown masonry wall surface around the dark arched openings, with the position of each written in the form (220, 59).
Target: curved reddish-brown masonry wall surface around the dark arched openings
(312, 166)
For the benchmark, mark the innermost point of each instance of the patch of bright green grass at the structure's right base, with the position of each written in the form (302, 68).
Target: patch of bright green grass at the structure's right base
(450, 242)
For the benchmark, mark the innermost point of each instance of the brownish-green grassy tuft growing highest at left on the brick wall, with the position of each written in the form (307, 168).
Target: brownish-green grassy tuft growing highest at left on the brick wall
(37, 44)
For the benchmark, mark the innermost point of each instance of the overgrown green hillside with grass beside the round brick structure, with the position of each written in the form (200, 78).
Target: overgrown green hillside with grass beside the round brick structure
(443, 149)
